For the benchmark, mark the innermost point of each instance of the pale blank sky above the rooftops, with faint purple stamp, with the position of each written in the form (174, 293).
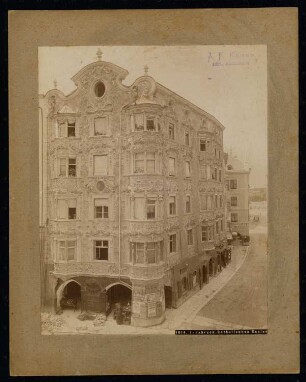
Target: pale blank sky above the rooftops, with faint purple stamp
(231, 86)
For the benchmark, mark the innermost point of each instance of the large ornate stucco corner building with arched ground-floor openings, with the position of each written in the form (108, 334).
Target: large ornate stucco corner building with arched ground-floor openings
(132, 194)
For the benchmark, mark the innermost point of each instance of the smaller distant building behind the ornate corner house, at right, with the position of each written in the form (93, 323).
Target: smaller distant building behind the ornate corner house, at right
(237, 184)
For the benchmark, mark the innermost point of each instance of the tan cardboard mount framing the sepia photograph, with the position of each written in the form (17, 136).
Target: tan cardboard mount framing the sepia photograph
(277, 352)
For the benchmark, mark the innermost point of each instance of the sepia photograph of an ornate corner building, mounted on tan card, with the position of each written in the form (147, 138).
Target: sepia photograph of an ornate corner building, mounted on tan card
(153, 188)
